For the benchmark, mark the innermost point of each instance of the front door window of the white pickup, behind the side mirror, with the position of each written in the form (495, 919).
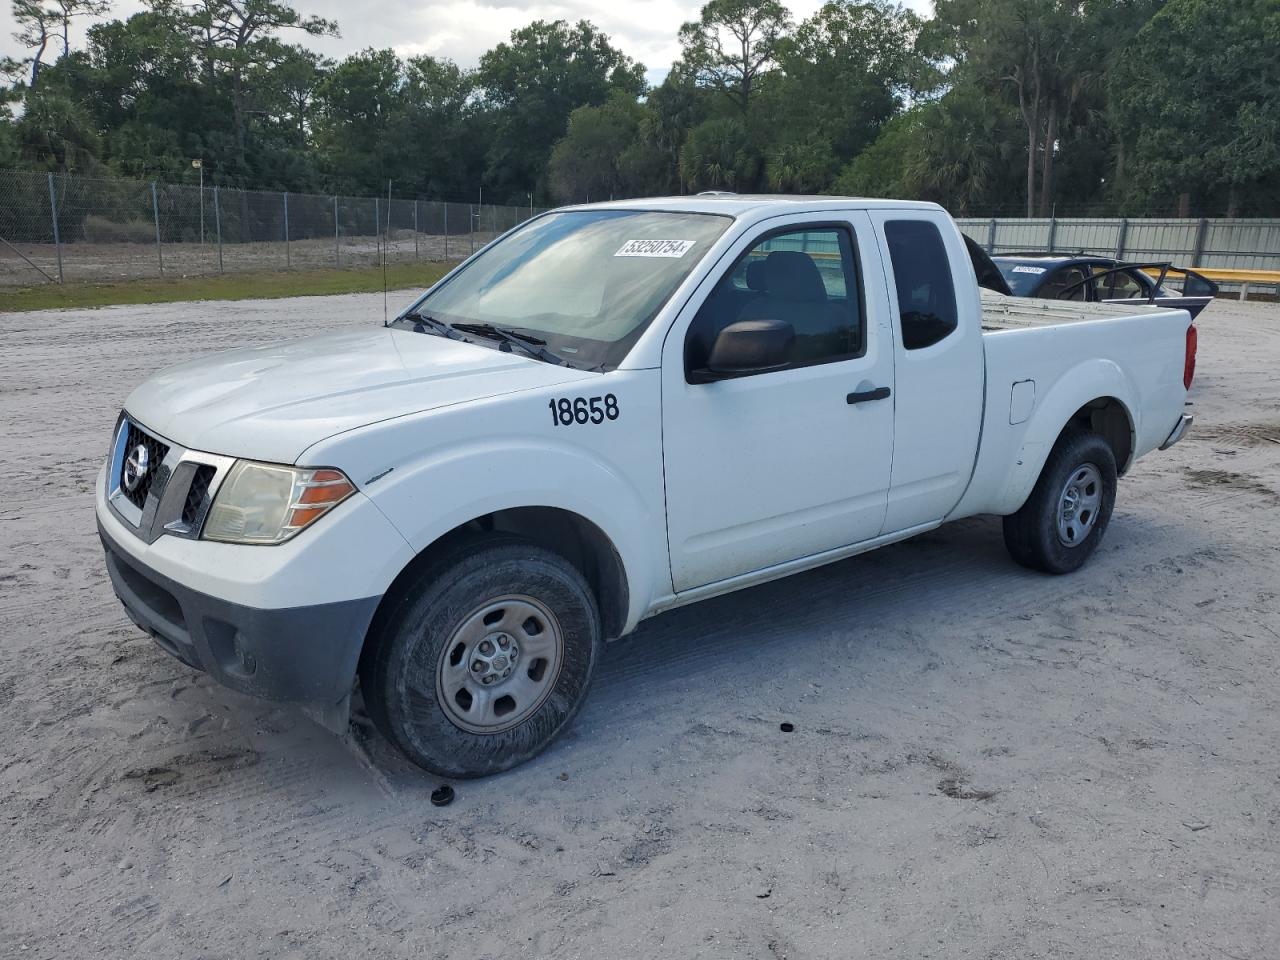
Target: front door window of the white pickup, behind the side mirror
(804, 278)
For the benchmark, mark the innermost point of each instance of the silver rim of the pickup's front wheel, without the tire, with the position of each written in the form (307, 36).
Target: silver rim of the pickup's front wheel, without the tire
(500, 665)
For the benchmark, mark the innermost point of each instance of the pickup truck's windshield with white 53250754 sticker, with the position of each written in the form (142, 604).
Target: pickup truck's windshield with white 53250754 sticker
(588, 282)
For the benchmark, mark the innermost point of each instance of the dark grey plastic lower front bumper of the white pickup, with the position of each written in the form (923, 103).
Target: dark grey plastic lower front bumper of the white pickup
(301, 655)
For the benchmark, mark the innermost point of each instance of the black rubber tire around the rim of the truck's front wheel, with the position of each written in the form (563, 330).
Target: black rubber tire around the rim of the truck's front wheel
(403, 669)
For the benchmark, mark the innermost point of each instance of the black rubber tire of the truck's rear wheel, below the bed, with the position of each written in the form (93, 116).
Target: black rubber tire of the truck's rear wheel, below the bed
(1032, 534)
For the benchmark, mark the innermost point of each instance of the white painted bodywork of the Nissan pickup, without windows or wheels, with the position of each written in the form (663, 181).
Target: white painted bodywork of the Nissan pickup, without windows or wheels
(702, 490)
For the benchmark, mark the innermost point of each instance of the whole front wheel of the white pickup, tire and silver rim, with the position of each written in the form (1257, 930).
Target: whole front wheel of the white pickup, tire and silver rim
(483, 659)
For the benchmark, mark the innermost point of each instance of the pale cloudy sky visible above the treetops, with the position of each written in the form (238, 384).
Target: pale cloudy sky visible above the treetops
(463, 30)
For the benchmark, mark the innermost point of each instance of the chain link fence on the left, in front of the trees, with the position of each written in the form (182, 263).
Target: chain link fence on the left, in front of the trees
(60, 228)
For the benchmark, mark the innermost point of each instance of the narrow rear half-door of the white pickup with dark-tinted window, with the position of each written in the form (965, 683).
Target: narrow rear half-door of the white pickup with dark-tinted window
(940, 364)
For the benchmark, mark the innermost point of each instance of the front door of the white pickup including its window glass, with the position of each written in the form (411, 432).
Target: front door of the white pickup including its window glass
(785, 464)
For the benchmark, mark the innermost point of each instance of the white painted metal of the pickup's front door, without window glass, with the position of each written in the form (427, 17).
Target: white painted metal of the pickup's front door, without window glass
(769, 469)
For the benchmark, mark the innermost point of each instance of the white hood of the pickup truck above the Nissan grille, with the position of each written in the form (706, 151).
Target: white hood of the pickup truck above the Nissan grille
(275, 401)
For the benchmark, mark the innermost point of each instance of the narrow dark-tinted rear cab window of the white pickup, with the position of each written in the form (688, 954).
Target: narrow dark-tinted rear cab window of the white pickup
(922, 272)
